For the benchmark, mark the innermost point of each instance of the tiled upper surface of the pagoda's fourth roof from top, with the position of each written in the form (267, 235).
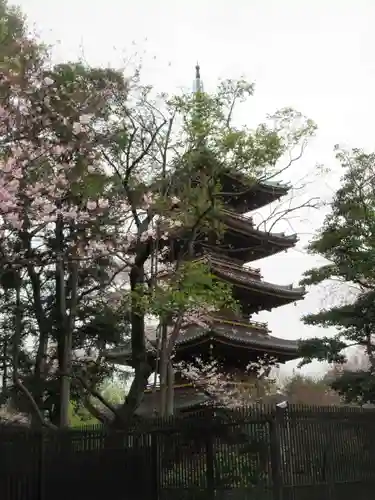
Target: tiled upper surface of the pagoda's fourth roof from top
(240, 335)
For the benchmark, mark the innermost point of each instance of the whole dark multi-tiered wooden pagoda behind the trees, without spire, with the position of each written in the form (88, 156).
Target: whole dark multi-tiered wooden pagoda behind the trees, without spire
(234, 340)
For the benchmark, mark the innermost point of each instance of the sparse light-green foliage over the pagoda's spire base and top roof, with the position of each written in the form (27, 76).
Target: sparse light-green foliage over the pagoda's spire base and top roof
(208, 118)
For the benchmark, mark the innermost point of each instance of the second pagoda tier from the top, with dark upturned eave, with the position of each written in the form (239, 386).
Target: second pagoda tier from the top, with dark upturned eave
(239, 241)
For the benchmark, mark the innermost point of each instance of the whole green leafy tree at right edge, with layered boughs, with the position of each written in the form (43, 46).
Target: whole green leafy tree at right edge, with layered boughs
(347, 242)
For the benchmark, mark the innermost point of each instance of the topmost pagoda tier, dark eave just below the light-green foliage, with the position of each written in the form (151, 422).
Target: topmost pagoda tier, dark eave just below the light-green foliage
(243, 194)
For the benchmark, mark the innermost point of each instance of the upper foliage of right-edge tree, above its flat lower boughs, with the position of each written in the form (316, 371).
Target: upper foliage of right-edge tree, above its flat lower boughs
(346, 238)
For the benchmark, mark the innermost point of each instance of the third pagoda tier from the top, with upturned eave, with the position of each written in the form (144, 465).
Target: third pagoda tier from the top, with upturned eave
(253, 294)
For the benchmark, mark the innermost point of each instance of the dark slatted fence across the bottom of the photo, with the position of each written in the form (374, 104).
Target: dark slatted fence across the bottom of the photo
(263, 453)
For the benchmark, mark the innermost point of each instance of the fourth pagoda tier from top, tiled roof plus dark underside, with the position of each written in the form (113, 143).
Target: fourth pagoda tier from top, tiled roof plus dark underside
(231, 343)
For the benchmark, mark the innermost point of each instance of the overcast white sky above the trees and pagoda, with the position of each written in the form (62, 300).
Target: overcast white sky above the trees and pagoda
(314, 55)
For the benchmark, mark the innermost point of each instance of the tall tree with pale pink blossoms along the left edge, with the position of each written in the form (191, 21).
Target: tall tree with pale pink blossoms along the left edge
(55, 211)
